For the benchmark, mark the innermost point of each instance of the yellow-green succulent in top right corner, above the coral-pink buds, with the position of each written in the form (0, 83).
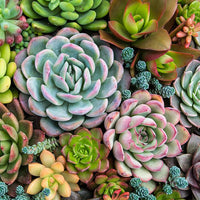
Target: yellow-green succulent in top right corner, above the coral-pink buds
(188, 10)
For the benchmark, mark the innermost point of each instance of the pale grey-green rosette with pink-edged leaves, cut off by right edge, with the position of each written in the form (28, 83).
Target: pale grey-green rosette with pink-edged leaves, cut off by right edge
(187, 96)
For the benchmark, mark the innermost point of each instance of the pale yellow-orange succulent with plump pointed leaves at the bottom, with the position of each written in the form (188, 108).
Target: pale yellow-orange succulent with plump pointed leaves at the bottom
(52, 175)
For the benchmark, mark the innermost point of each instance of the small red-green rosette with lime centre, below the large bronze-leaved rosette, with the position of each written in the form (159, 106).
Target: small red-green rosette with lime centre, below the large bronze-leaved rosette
(164, 68)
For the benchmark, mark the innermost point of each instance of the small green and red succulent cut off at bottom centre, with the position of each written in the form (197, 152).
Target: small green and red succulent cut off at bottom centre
(109, 185)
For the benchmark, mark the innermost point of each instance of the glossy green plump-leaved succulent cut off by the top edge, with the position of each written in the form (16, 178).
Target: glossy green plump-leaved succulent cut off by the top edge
(76, 14)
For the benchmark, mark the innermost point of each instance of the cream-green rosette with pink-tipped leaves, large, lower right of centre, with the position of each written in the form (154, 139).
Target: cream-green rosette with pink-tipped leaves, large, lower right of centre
(142, 133)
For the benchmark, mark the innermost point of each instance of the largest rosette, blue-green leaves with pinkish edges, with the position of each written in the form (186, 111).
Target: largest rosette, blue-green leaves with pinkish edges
(68, 80)
